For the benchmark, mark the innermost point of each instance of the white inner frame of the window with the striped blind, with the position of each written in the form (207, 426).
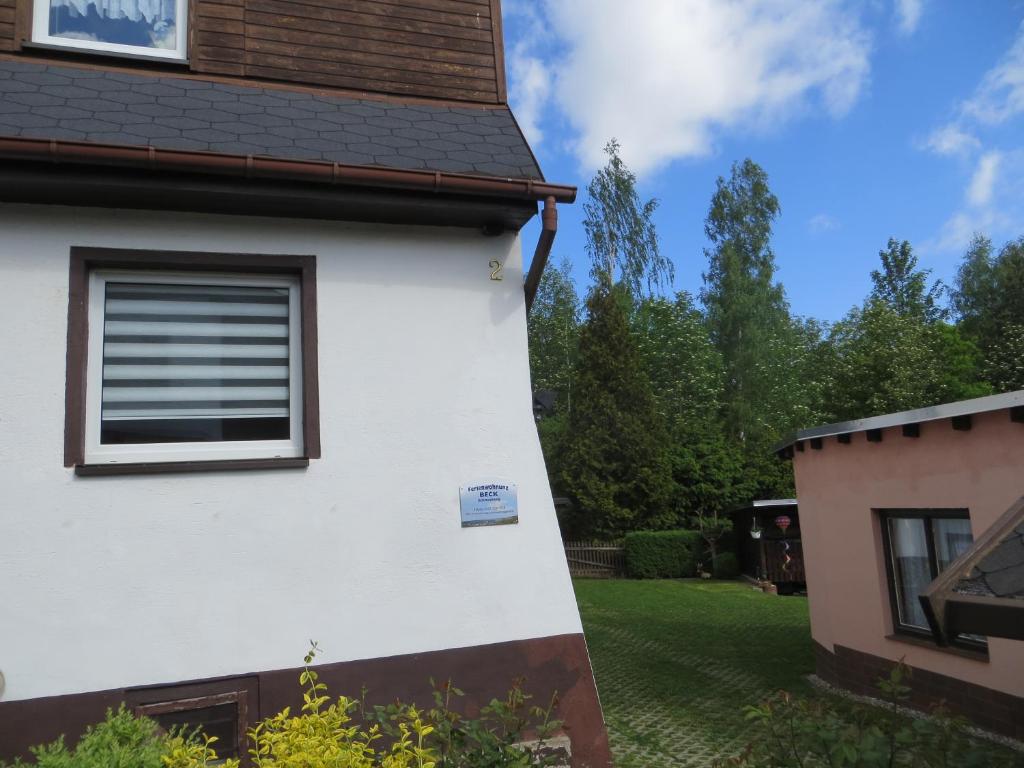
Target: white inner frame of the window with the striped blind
(97, 453)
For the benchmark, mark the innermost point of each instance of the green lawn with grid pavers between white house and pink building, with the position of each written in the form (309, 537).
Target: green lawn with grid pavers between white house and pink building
(677, 661)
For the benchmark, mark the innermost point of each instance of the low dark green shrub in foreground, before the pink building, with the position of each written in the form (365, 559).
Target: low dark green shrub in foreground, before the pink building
(826, 732)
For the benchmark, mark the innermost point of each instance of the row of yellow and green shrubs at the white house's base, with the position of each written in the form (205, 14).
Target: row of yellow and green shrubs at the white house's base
(339, 734)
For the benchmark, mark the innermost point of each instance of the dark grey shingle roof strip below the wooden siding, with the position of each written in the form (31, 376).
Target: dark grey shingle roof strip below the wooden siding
(176, 113)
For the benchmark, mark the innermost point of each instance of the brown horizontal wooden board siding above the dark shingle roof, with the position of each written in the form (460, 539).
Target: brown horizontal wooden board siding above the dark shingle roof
(449, 50)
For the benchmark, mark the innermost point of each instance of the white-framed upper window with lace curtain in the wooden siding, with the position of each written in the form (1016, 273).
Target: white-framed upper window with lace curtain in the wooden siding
(150, 28)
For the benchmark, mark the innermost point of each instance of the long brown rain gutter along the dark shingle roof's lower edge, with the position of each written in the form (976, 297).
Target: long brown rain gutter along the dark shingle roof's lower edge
(88, 153)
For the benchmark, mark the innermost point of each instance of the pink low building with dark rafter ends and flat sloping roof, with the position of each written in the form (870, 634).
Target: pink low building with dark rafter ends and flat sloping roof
(887, 505)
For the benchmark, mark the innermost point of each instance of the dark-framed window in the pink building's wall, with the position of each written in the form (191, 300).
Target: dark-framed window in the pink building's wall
(919, 545)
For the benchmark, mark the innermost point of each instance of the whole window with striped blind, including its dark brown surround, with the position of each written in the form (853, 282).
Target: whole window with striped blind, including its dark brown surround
(191, 361)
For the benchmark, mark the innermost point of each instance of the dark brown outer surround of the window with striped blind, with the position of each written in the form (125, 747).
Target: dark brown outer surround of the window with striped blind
(86, 261)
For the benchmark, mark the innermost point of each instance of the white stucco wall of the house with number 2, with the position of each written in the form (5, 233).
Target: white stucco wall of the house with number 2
(111, 582)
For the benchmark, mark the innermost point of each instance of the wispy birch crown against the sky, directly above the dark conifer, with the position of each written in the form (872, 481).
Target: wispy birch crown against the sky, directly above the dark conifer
(621, 233)
